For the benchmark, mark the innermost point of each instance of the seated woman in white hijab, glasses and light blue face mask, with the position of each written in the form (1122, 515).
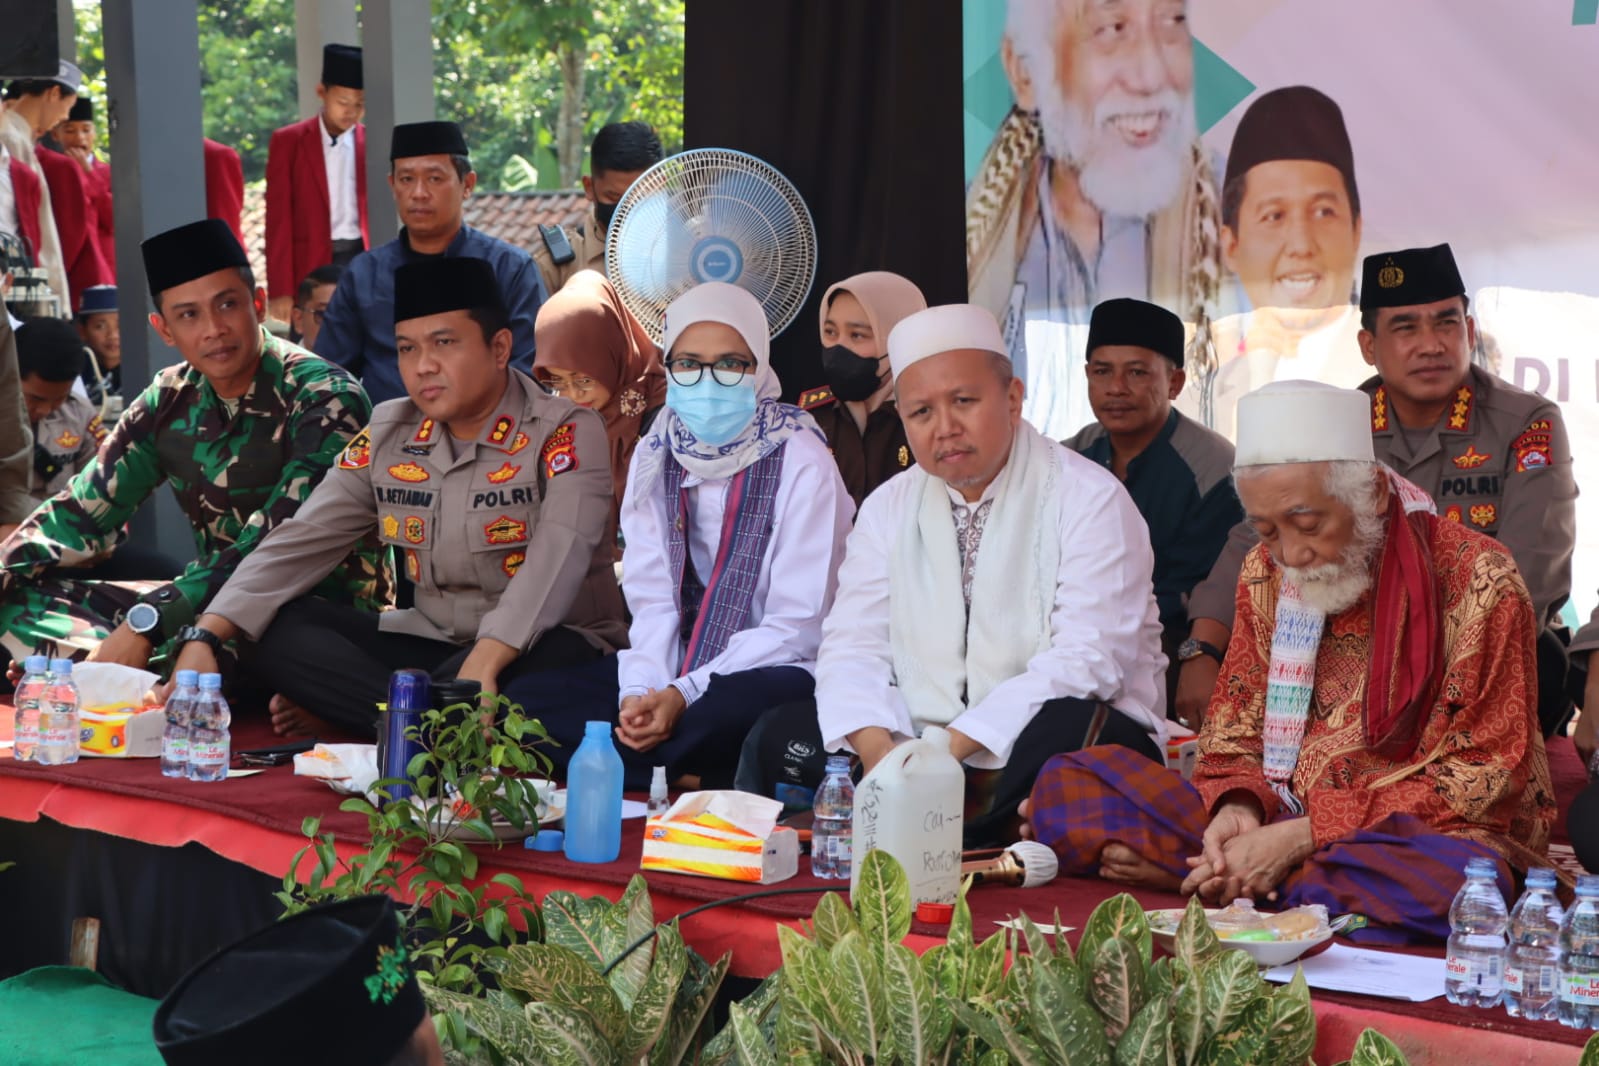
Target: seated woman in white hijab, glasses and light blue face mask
(735, 522)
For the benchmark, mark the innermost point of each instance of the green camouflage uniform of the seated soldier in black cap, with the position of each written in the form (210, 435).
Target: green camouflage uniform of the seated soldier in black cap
(237, 475)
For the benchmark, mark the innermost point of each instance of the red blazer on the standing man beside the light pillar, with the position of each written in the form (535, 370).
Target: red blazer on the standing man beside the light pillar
(300, 233)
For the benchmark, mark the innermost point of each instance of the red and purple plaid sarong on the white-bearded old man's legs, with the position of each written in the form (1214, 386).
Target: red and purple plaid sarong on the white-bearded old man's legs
(1398, 873)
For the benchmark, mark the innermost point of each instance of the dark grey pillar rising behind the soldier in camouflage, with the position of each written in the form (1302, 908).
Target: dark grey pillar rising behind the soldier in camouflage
(153, 116)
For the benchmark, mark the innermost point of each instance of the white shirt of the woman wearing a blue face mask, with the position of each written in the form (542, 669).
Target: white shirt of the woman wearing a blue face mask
(794, 589)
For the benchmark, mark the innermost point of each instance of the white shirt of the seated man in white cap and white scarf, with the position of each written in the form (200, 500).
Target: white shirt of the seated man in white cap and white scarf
(1106, 629)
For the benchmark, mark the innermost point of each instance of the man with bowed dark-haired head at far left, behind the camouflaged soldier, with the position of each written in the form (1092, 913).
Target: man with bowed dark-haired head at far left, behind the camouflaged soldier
(66, 428)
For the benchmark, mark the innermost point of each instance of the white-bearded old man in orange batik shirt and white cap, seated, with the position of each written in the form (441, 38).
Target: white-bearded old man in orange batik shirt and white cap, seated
(1376, 723)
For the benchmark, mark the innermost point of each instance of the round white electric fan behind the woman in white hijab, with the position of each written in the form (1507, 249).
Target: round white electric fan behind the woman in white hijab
(711, 215)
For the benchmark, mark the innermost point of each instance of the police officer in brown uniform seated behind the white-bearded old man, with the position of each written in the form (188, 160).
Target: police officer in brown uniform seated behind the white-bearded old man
(1496, 458)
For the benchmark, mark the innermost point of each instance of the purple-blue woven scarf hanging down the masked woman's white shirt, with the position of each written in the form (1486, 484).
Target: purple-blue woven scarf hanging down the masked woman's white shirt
(717, 607)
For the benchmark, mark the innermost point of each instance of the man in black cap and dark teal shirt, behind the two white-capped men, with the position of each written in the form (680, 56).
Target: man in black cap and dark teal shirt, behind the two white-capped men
(1178, 472)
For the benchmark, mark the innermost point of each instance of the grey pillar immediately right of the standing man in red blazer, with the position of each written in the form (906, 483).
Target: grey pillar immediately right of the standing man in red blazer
(399, 62)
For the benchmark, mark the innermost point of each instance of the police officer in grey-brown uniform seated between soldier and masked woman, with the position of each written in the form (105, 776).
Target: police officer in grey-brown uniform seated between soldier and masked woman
(495, 495)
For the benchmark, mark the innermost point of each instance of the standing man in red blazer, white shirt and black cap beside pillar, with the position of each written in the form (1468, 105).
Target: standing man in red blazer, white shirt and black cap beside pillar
(317, 183)
